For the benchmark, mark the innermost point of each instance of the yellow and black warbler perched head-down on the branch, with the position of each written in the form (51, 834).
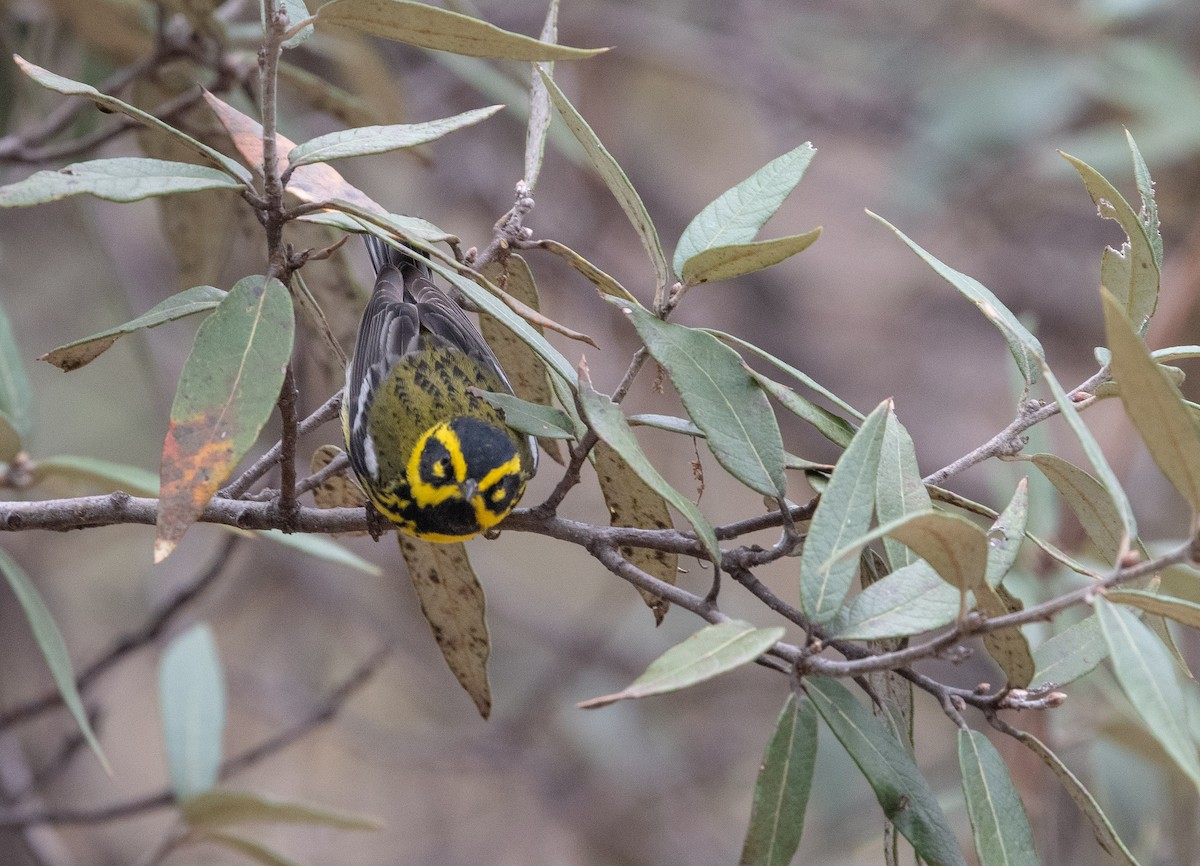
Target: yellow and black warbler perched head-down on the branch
(433, 456)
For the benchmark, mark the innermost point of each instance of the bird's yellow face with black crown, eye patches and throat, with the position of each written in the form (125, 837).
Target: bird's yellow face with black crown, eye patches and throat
(464, 478)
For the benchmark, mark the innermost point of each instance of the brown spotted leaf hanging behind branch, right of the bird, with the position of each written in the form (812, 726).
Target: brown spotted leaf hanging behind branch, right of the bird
(633, 503)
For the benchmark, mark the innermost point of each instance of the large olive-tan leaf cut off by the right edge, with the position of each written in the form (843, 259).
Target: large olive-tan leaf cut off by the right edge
(1155, 405)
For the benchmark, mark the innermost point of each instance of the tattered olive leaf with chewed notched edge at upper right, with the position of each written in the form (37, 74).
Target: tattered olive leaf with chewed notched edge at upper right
(1132, 273)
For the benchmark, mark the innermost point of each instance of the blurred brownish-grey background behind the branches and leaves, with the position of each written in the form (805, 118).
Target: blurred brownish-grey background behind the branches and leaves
(945, 118)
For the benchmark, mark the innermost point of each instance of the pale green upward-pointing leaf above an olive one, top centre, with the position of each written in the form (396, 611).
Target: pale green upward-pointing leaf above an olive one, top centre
(735, 218)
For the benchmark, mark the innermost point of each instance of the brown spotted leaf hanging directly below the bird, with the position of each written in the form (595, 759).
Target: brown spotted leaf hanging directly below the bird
(454, 605)
